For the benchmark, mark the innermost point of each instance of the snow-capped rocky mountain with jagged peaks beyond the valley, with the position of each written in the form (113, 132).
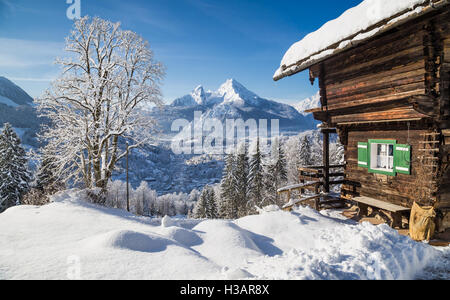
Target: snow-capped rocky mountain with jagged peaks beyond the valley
(232, 101)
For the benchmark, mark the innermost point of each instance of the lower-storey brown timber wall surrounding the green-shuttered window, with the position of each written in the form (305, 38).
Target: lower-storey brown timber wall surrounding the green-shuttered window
(401, 189)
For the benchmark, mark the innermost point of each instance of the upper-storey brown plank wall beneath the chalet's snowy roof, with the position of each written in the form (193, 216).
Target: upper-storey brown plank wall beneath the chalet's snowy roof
(384, 67)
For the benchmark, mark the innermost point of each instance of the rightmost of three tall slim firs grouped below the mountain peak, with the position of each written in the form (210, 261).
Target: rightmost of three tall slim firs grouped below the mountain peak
(255, 178)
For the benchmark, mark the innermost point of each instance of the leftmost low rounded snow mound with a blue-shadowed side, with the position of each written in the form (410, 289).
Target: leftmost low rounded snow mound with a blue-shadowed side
(129, 240)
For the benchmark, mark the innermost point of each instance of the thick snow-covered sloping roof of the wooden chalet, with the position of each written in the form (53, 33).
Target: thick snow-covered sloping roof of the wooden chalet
(368, 19)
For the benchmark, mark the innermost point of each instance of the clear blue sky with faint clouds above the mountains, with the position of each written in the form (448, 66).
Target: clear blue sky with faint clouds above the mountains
(199, 41)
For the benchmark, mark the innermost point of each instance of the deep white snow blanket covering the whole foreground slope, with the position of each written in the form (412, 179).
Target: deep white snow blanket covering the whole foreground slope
(41, 242)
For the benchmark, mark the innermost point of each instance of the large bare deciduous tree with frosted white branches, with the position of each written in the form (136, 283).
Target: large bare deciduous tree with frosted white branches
(94, 107)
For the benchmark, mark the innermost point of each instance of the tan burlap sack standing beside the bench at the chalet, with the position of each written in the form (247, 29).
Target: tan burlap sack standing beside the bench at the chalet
(421, 224)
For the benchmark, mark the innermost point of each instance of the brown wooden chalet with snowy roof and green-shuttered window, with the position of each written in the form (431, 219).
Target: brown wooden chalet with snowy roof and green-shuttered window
(384, 90)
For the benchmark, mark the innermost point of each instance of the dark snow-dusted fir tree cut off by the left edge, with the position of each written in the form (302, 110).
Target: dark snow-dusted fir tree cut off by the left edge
(14, 174)
